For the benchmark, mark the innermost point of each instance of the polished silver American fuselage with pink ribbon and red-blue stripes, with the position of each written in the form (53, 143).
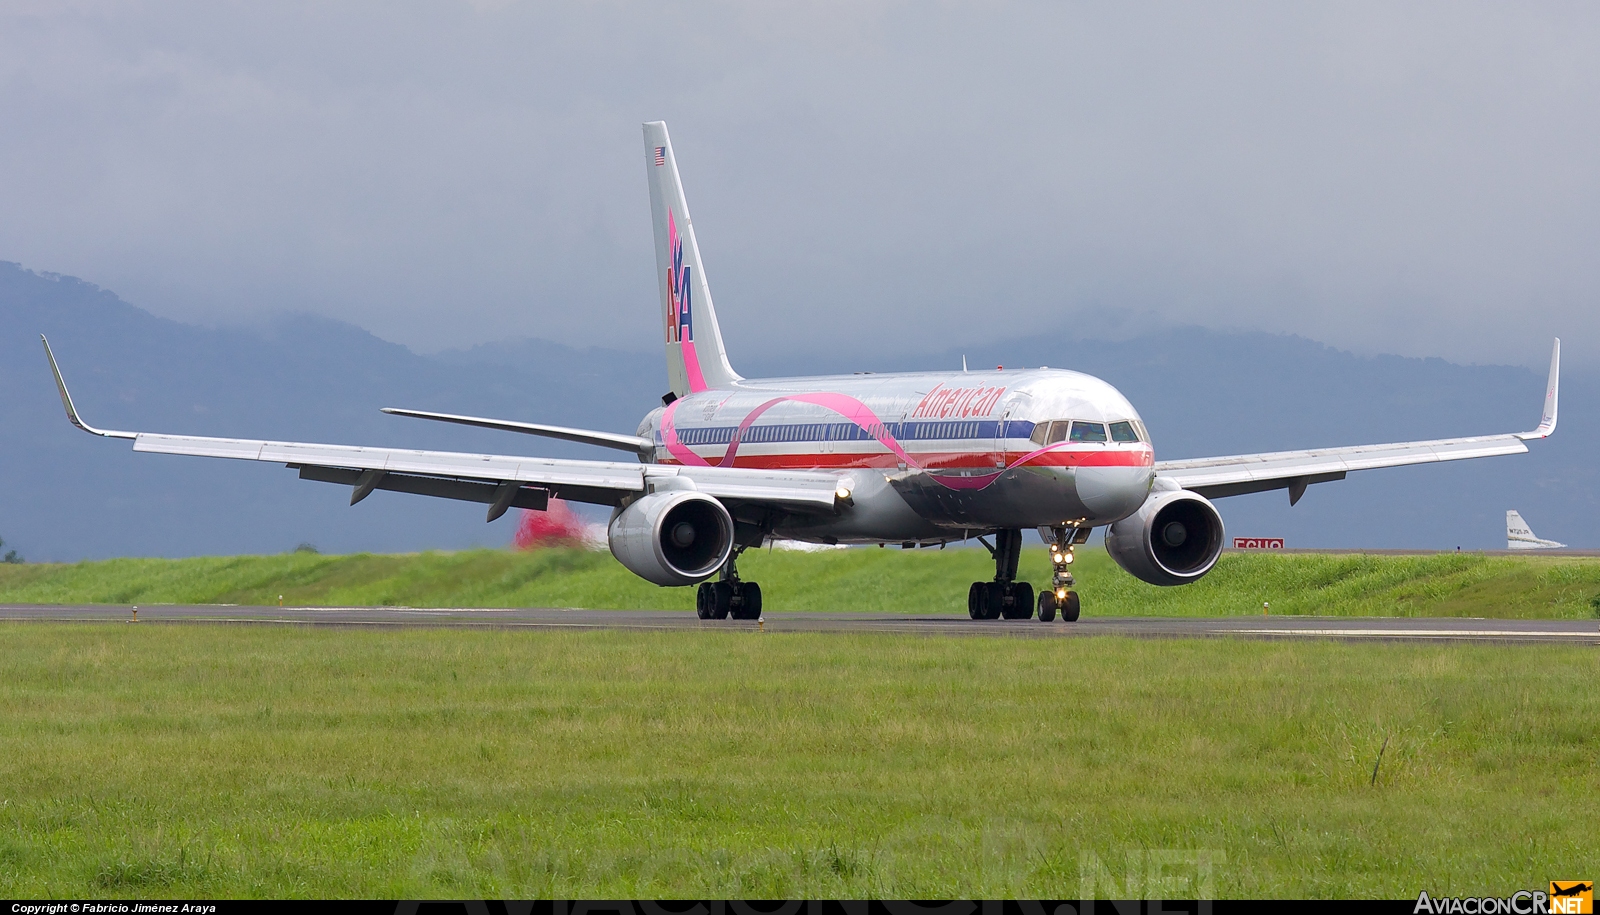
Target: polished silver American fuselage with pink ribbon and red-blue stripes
(927, 457)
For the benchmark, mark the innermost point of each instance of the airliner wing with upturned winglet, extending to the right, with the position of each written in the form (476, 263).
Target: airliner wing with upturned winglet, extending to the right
(1294, 471)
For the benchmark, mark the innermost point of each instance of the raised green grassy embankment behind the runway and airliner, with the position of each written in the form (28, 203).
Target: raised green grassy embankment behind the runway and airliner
(884, 581)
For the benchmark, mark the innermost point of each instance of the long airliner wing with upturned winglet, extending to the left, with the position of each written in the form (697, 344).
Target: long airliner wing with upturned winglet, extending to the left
(500, 481)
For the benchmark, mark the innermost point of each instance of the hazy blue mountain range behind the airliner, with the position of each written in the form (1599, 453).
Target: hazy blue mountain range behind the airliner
(68, 497)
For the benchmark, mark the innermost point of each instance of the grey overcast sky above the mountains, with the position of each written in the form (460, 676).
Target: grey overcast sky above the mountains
(900, 177)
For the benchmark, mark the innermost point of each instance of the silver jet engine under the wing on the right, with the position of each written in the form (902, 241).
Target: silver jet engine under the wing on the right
(1175, 538)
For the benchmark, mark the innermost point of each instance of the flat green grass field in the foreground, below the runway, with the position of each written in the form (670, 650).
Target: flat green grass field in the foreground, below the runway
(218, 762)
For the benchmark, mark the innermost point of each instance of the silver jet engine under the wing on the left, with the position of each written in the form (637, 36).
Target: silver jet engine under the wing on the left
(673, 538)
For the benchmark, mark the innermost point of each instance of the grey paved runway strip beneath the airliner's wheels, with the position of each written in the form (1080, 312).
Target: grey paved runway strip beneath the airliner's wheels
(1350, 629)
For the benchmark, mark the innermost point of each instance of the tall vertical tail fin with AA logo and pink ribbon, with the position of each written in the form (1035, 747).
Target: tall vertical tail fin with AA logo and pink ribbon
(697, 359)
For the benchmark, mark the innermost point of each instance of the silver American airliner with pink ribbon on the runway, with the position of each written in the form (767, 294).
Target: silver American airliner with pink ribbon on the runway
(918, 460)
